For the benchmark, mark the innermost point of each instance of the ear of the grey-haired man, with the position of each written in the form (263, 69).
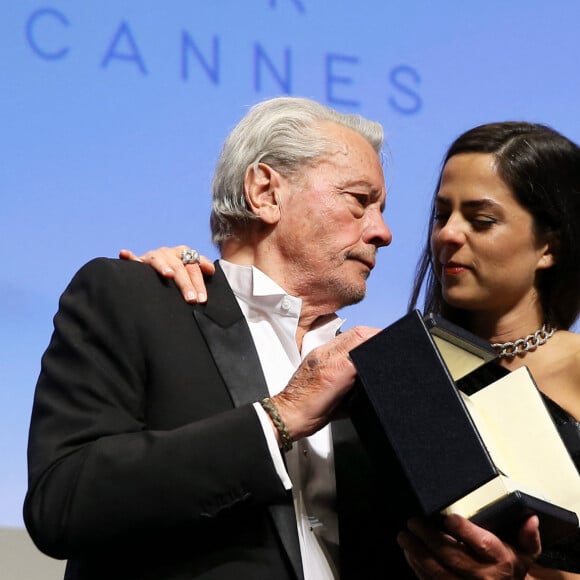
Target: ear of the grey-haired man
(262, 188)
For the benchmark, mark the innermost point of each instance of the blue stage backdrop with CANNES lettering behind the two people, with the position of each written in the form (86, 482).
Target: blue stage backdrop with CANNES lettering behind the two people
(113, 113)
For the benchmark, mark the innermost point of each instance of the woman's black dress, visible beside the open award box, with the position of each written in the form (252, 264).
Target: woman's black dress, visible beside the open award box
(564, 555)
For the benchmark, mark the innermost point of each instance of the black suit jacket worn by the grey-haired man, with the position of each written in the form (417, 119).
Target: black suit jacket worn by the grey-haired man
(146, 458)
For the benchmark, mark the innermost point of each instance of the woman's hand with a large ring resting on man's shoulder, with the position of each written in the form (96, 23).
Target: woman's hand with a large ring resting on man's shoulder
(169, 262)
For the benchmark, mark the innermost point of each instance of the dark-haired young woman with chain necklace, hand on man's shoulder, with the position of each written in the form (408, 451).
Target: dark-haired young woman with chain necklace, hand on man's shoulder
(503, 260)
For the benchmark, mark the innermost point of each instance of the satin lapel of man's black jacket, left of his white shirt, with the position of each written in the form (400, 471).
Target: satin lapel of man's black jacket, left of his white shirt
(228, 337)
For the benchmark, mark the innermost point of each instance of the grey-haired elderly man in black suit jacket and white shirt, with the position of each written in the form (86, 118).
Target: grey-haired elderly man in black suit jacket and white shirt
(171, 440)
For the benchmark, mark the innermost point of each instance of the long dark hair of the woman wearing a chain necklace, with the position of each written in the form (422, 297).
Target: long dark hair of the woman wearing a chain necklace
(542, 168)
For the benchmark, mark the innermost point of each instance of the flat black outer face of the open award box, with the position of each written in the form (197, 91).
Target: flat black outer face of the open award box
(405, 404)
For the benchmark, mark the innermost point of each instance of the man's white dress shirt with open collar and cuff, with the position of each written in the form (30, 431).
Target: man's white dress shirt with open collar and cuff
(272, 316)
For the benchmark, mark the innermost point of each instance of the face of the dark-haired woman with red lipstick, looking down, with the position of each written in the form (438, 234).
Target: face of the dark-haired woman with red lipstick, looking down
(485, 253)
